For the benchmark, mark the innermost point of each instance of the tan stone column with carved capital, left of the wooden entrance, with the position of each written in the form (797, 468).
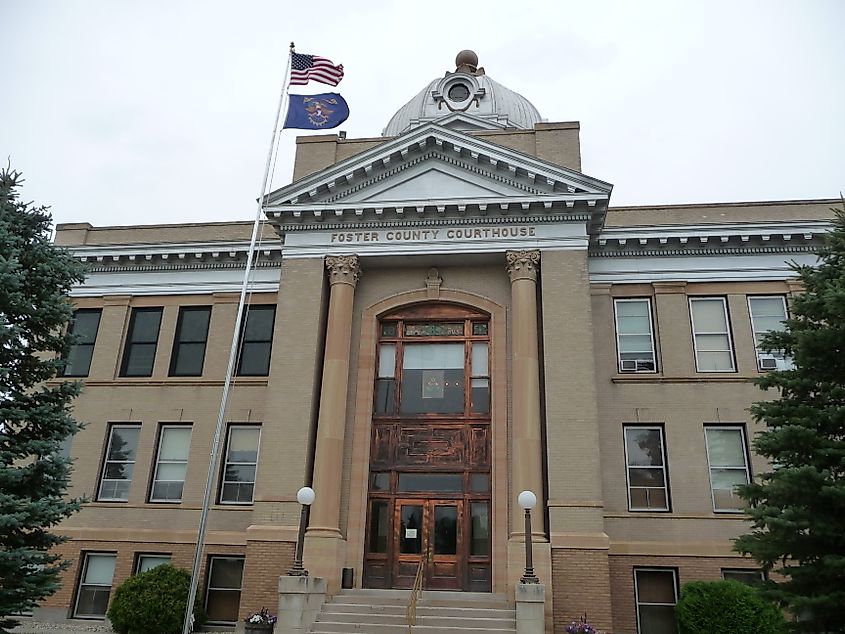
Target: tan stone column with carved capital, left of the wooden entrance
(323, 544)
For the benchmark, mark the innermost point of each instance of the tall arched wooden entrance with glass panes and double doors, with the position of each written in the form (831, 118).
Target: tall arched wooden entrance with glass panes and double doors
(429, 485)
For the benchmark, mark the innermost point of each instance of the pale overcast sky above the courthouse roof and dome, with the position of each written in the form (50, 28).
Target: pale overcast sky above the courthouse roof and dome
(131, 111)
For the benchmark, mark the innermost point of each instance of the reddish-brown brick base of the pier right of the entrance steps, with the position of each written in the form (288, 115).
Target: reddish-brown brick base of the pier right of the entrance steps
(581, 585)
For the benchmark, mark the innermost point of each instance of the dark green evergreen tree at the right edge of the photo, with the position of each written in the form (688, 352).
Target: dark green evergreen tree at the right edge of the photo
(798, 508)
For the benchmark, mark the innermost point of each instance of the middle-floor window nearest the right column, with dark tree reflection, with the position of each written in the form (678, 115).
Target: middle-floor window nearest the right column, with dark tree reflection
(646, 467)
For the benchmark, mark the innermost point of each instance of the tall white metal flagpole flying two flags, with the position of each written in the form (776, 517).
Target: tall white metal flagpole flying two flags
(233, 354)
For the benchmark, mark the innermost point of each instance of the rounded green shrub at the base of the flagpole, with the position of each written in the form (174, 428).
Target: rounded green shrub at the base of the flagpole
(153, 601)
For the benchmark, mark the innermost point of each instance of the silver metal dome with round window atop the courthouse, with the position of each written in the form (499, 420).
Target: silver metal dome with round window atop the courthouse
(469, 91)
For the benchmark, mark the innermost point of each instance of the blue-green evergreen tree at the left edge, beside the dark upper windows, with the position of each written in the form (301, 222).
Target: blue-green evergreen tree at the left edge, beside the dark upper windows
(35, 418)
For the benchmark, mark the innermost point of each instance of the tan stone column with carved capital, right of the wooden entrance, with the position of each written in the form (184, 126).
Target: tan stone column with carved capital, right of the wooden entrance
(527, 444)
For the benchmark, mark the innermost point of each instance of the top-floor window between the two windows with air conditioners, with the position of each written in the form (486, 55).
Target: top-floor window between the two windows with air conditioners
(711, 335)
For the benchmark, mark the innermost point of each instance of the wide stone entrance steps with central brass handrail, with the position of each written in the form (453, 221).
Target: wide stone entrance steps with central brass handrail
(383, 612)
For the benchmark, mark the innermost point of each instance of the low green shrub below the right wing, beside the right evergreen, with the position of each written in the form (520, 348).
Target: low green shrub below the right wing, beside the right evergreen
(713, 607)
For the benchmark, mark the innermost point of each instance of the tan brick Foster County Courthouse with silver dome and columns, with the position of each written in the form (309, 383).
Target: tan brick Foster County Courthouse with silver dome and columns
(439, 318)
